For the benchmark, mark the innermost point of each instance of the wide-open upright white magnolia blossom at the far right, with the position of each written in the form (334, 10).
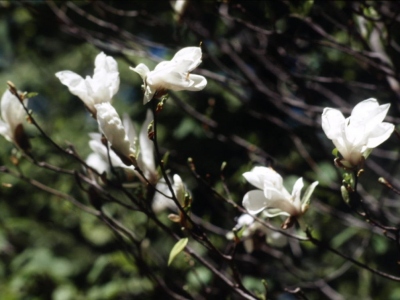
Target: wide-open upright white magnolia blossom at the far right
(355, 136)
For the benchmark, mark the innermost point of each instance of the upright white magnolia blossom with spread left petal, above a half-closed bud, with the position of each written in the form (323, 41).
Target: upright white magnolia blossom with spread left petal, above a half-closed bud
(97, 89)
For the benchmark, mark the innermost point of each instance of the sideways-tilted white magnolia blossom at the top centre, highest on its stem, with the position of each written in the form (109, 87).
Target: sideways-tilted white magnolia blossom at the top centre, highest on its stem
(172, 75)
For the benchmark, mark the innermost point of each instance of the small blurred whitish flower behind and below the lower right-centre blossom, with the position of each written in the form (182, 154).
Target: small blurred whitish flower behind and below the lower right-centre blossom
(251, 227)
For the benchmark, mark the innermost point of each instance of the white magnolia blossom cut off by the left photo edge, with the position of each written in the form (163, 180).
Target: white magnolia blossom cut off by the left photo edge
(12, 116)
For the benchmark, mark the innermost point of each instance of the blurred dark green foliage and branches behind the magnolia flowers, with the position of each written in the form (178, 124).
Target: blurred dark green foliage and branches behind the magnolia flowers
(272, 67)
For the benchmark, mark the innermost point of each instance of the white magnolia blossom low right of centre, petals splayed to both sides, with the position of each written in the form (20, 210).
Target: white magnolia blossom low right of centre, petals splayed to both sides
(271, 195)
